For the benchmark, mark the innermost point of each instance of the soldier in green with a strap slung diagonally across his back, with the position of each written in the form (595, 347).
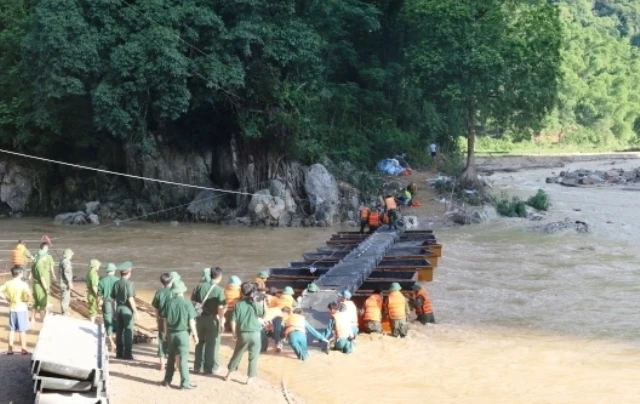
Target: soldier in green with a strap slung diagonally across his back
(210, 323)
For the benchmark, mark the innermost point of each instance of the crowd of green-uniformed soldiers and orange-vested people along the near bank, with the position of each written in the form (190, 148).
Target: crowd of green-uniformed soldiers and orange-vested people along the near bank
(251, 312)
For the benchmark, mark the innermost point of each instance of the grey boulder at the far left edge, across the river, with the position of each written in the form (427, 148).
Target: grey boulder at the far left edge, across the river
(15, 186)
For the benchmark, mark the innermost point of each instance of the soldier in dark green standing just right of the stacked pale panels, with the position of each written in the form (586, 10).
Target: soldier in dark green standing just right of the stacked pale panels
(124, 294)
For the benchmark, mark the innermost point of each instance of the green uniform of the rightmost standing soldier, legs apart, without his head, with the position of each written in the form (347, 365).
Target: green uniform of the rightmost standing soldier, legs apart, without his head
(248, 329)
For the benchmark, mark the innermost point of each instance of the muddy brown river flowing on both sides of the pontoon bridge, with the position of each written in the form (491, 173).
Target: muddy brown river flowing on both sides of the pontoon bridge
(522, 317)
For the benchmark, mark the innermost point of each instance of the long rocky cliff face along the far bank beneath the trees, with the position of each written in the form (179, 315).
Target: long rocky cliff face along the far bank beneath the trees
(291, 195)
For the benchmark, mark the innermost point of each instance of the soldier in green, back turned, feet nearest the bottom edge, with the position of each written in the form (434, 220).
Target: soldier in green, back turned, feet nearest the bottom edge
(180, 318)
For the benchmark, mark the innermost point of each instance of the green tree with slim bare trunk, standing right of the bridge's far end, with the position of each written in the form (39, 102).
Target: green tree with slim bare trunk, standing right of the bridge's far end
(490, 62)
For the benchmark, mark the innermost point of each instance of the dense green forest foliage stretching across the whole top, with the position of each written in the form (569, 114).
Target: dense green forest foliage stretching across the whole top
(355, 80)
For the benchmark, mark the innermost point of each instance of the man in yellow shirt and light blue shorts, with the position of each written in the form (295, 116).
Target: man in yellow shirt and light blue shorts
(17, 293)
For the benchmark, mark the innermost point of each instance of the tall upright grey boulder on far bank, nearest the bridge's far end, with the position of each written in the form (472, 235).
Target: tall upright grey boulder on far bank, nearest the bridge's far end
(322, 189)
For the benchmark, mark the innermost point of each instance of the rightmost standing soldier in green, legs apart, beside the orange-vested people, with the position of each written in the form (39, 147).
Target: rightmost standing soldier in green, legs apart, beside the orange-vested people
(246, 328)
